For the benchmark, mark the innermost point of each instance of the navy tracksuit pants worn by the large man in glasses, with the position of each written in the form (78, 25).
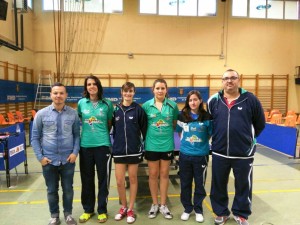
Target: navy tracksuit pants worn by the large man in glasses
(242, 171)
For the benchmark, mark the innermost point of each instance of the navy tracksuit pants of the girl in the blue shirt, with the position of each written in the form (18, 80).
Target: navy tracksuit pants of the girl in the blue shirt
(192, 168)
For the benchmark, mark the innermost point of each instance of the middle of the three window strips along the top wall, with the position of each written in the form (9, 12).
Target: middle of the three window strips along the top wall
(179, 7)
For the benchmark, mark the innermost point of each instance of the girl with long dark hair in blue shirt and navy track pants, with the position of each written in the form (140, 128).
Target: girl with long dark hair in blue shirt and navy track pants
(195, 126)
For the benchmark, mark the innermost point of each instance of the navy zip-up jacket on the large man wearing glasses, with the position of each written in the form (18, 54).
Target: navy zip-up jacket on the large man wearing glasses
(235, 129)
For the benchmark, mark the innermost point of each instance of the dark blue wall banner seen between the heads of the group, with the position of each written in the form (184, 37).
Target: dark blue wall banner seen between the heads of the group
(177, 94)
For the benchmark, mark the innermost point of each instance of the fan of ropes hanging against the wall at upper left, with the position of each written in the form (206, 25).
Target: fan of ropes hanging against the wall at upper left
(78, 36)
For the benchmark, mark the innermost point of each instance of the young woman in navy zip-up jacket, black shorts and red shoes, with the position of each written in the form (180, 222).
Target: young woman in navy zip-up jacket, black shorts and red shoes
(129, 129)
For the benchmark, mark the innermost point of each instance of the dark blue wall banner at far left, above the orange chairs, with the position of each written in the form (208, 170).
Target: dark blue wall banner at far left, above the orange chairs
(11, 91)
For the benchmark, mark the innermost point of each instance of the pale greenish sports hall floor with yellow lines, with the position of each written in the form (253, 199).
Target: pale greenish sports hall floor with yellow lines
(276, 195)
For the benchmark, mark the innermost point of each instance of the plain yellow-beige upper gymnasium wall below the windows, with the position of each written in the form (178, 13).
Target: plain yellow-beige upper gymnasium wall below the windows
(163, 45)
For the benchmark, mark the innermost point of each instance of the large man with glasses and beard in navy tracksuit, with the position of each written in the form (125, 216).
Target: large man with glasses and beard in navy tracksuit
(238, 118)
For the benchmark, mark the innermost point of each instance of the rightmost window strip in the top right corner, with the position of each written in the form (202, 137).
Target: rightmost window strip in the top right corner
(266, 9)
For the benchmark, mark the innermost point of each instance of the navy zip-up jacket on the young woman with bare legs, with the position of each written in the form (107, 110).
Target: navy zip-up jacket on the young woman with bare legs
(129, 129)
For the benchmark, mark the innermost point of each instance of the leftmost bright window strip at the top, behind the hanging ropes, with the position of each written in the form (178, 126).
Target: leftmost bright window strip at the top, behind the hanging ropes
(95, 6)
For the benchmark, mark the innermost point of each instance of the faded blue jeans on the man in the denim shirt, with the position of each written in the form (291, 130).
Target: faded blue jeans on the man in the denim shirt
(52, 175)
